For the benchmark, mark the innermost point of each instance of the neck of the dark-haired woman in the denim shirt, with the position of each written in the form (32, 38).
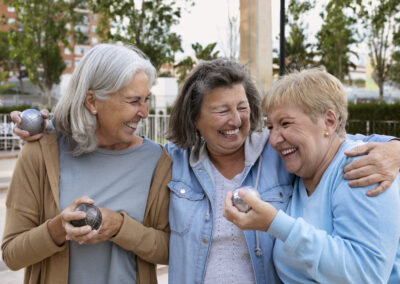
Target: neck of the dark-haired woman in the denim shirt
(229, 165)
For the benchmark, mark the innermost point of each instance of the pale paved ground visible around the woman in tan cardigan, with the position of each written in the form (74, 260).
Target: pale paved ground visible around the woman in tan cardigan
(7, 163)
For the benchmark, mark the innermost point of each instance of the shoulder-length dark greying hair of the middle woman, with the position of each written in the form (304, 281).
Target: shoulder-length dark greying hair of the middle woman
(202, 80)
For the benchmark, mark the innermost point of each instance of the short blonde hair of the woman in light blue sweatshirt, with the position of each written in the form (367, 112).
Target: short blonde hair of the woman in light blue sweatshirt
(313, 90)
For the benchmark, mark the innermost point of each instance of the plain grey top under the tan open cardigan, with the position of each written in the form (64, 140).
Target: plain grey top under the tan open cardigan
(117, 180)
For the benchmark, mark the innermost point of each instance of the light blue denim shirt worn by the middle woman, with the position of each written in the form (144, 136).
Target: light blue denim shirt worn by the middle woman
(190, 212)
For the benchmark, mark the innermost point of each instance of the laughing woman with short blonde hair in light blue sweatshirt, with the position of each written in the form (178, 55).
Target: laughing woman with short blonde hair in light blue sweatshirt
(330, 233)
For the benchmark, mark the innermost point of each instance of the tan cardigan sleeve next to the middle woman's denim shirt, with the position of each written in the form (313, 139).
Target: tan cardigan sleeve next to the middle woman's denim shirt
(150, 240)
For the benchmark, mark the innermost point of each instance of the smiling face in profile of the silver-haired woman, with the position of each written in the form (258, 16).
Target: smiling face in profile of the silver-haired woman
(119, 115)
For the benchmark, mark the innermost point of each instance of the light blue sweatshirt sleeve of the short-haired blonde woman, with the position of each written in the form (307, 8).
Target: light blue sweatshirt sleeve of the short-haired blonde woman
(363, 243)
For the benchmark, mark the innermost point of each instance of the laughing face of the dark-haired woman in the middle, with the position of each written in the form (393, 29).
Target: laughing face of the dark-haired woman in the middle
(224, 120)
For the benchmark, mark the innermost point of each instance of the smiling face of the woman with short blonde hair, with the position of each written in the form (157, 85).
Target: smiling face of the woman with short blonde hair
(301, 142)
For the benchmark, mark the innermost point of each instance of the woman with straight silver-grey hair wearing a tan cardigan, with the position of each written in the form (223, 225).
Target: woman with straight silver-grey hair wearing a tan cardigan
(93, 157)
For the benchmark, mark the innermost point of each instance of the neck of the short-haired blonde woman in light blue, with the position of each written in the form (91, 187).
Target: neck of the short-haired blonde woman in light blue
(312, 182)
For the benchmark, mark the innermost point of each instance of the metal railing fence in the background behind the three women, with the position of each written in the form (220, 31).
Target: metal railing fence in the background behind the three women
(155, 128)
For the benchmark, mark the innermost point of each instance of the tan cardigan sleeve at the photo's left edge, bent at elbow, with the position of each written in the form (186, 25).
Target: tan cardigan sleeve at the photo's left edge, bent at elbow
(26, 239)
